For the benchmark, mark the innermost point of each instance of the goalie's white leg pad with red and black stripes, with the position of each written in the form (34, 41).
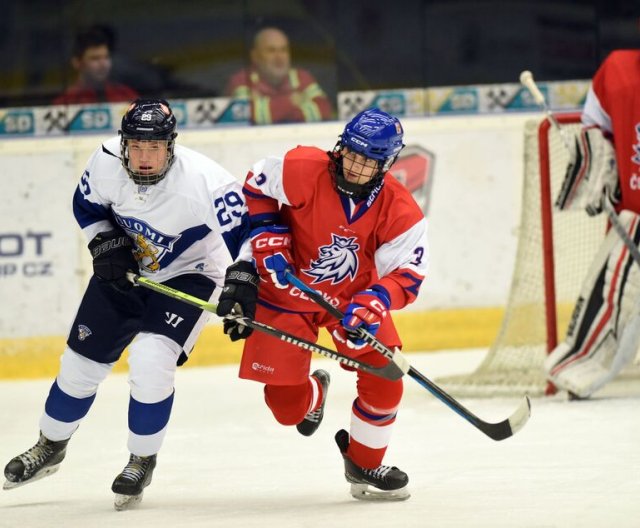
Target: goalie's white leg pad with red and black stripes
(604, 331)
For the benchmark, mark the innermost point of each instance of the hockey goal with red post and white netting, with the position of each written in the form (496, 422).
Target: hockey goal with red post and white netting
(555, 250)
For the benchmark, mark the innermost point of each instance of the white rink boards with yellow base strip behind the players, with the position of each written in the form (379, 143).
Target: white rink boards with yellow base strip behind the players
(473, 211)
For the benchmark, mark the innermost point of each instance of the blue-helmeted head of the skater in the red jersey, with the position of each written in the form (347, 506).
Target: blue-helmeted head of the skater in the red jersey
(364, 152)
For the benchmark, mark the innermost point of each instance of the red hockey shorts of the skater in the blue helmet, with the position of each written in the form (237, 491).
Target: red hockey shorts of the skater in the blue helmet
(269, 360)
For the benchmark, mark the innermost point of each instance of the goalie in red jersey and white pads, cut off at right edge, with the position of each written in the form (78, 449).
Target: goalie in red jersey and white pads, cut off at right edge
(604, 332)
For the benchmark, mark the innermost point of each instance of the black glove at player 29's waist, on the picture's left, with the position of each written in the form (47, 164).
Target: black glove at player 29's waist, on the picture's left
(112, 258)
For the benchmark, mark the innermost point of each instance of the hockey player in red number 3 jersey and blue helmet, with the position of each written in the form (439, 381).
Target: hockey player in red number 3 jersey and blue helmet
(350, 230)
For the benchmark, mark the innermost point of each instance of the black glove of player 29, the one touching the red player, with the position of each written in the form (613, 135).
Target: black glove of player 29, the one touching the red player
(238, 297)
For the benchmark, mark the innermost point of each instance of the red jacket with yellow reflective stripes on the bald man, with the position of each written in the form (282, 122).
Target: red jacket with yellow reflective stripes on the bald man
(298, 98)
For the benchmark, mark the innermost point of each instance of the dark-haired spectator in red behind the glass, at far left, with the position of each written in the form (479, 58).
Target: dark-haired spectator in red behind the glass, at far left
(92, 60)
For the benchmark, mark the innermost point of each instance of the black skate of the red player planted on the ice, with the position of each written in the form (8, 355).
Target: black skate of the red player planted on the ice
(389, 483)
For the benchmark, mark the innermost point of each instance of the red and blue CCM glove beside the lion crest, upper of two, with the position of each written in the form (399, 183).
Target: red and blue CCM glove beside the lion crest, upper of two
(271, 251)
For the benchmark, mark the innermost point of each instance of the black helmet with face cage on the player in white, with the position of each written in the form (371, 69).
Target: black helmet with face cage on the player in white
(147, 120)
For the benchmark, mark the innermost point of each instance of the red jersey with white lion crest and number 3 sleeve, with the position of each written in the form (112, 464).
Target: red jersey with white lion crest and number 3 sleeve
(340, 246)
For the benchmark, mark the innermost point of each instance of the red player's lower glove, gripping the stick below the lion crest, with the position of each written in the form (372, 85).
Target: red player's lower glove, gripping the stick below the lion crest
(367, 310)
